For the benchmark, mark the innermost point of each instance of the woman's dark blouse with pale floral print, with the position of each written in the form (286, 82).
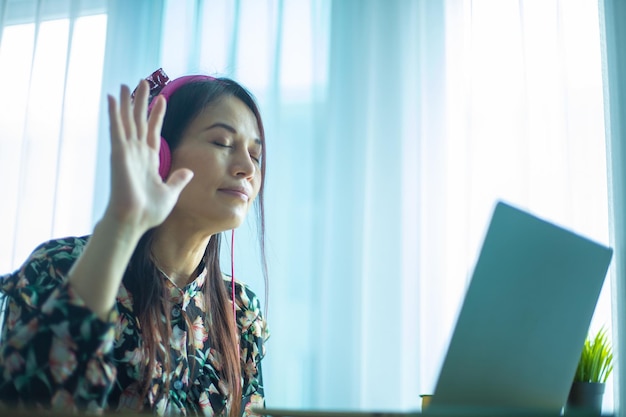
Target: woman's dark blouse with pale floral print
(55, 352)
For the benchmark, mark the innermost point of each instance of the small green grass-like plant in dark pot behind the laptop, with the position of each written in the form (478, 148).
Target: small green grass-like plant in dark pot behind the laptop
(594, 367)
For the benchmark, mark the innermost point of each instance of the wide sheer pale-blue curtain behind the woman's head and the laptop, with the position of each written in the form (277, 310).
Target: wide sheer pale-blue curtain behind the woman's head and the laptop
(392, 129)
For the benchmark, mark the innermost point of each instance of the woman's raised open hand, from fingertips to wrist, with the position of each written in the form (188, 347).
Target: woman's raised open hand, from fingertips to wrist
(139, 197)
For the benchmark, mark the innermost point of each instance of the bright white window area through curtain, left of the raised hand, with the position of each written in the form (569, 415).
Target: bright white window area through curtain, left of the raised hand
(51, 61)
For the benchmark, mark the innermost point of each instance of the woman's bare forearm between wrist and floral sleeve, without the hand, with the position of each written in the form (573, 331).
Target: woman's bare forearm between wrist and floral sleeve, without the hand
(98, 272)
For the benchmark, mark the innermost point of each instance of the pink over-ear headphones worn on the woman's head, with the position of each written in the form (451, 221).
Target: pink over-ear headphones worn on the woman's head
(160, 84)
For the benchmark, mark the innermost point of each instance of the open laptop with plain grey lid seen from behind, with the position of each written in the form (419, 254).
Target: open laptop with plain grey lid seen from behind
(522, 325)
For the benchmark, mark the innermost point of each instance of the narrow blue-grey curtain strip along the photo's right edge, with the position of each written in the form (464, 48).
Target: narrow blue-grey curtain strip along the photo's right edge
(613, 15)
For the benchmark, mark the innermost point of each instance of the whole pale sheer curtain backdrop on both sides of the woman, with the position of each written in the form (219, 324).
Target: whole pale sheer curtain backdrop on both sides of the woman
(392, 129)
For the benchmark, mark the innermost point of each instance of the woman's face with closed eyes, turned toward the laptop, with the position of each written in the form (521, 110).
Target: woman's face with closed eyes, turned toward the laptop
(222, 146)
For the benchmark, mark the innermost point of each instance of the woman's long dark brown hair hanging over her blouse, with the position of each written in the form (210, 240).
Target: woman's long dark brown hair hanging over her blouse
(150, 300)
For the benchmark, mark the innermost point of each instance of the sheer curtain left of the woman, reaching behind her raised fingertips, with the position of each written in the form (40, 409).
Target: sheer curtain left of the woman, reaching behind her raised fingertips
(58, 58)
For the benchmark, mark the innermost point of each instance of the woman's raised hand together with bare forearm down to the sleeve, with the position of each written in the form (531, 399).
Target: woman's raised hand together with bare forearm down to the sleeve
(139, 199)
